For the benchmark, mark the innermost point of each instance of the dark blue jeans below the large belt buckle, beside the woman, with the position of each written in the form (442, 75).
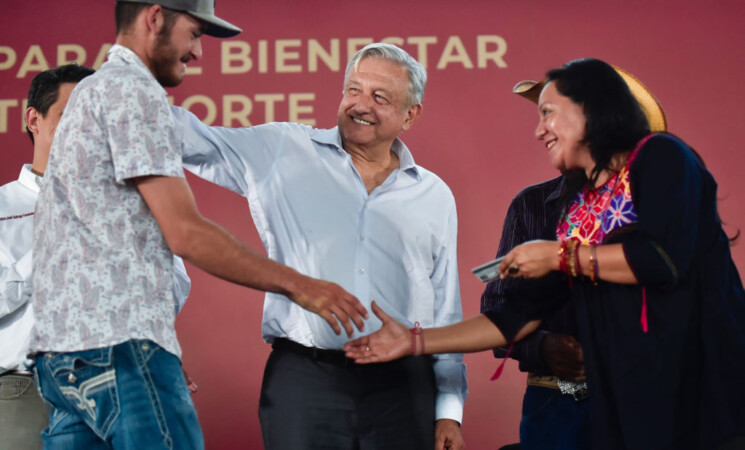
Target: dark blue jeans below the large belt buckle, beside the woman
(553, 421)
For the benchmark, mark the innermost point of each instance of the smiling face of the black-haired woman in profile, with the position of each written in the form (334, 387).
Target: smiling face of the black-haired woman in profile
(561, 128)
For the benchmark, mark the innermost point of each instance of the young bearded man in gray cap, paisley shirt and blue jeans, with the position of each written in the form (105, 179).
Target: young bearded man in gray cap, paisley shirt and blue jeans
(113, 207)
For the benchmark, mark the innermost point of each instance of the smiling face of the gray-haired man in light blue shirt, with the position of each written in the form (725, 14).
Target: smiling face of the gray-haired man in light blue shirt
(374, 109)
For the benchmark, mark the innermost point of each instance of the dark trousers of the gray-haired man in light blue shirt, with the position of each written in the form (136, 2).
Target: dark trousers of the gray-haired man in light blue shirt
(314, 400)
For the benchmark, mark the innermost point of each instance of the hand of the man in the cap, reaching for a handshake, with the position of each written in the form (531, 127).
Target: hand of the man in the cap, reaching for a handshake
(331, 302)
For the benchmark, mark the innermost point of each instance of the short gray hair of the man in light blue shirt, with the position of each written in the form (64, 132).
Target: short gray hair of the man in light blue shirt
(389, 52)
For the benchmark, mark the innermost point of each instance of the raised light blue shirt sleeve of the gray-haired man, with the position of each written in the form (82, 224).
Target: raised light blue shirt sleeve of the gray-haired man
(234, 158)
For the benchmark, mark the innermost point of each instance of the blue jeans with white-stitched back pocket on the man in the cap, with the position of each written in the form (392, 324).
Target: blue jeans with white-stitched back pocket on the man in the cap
(129, 396)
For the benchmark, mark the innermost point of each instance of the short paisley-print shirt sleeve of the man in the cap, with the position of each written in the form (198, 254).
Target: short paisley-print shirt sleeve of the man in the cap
(140, 129)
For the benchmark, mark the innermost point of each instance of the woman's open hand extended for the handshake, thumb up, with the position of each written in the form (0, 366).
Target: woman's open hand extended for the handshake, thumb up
(391, 341)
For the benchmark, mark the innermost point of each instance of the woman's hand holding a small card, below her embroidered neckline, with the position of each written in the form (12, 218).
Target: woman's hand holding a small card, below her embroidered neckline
(532, 259)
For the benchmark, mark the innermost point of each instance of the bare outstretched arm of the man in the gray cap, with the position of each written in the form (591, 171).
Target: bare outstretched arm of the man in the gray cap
(211, 248)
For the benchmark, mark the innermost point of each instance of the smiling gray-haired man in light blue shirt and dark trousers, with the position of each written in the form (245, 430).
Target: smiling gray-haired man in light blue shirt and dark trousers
(349, 205)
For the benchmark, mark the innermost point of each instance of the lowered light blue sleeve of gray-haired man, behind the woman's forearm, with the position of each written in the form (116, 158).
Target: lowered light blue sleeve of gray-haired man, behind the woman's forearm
(450, 372)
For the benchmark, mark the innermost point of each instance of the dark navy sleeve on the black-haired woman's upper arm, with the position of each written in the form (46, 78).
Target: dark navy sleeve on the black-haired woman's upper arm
(666, 182)
